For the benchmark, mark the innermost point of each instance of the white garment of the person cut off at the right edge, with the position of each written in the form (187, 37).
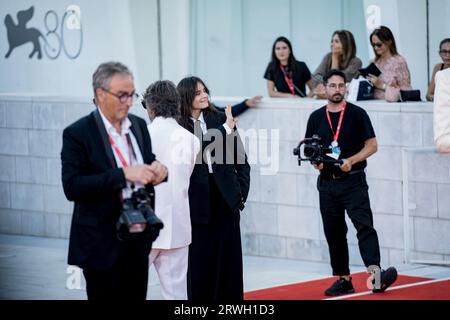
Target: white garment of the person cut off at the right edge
(441, 112)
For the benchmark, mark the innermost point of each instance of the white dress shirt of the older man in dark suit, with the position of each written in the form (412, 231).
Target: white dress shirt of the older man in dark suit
(121, 142)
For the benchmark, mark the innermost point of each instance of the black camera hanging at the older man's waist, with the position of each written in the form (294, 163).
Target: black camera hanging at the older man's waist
(138, 218)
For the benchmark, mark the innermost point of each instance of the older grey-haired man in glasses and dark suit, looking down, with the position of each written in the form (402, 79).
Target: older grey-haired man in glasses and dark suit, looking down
(104, 156)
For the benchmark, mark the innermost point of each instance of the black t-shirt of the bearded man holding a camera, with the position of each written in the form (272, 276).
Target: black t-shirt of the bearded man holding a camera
(355, 130)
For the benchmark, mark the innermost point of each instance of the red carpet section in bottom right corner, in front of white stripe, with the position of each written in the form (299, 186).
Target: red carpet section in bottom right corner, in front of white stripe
(431, 291)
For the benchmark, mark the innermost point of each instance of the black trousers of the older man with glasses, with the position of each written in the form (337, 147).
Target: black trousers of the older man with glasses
(126, 280)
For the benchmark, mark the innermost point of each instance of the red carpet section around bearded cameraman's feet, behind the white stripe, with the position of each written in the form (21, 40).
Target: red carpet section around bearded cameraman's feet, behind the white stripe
(313, 290)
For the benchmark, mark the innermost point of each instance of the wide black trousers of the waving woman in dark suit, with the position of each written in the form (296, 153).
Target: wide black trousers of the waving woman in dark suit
(215, 269)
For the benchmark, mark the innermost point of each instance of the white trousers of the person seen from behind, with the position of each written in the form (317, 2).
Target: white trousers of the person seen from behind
(171, 266)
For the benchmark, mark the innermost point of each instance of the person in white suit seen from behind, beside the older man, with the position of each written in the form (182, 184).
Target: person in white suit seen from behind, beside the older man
(177, 149)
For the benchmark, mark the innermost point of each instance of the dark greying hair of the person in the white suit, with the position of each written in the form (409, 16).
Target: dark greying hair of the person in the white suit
(163, 99)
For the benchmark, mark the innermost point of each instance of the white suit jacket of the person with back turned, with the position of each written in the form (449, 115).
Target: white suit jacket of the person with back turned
(177, 149)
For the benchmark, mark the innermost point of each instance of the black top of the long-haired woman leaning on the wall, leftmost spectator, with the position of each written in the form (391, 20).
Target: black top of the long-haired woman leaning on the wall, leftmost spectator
(300, 77)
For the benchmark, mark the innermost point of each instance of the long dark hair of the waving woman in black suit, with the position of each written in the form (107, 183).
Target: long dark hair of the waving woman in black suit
(187, 88)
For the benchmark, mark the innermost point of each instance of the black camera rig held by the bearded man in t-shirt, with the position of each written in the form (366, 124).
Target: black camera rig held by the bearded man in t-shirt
(314, 152)
